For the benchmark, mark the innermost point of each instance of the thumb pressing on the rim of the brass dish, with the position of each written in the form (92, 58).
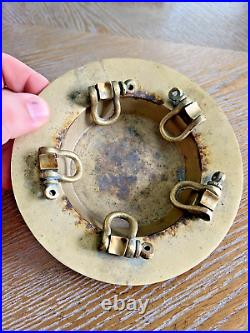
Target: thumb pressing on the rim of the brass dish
(22, 113)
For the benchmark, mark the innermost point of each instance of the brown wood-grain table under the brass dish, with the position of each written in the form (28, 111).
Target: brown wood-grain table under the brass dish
(39, 293)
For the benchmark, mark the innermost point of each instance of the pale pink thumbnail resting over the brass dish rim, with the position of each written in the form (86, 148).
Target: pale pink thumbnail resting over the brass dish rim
(38, 111)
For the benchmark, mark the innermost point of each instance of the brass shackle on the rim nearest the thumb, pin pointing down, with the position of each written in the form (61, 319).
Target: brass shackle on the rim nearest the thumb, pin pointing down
(48, 165)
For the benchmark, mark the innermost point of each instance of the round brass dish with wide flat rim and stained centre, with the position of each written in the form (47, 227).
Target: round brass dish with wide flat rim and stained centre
(127, 166)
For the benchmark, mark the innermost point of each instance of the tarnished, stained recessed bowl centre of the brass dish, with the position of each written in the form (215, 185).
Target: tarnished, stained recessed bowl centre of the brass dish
(126, 166)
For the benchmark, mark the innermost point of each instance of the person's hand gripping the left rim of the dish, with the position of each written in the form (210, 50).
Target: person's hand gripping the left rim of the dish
(22, 110)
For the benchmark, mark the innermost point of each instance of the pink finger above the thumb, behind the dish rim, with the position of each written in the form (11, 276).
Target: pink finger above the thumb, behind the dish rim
(19, 77)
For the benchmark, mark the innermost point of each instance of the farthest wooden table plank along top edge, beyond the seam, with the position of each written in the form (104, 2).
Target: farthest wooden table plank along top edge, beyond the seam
(222, 25)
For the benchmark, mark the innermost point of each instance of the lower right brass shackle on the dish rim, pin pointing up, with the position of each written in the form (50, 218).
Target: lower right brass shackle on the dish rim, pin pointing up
(207, 198)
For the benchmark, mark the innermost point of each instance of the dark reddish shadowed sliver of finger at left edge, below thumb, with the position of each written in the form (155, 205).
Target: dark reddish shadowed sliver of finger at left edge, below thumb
(6, 162)
